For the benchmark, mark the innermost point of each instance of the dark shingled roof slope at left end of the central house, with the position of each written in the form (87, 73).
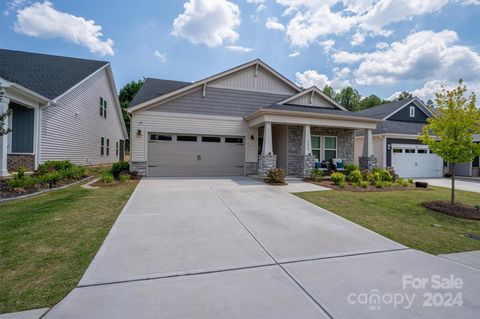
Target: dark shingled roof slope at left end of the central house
(153, 88)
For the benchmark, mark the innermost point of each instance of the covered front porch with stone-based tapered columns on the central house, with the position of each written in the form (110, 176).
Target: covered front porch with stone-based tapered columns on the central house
(298, 143)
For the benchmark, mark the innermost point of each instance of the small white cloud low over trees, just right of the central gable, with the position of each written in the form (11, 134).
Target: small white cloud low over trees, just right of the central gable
(313, 78)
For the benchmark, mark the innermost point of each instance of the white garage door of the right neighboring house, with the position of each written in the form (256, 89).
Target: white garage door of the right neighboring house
(416, 161)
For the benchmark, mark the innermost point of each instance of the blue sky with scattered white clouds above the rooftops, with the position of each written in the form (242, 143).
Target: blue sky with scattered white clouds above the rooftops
(376, 46)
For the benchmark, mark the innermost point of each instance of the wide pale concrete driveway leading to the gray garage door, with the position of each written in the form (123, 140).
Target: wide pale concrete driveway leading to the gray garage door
(237, 248)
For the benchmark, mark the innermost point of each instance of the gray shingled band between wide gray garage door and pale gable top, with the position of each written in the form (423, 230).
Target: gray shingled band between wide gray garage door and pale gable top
(218, 101)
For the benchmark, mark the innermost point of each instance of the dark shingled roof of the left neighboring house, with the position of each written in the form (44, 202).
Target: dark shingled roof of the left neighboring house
(47, 75)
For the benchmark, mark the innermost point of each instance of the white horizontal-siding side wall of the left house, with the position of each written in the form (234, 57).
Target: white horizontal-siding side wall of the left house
(72, 129)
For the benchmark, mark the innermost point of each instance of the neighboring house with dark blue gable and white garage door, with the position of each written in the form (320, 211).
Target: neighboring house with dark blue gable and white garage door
(396, 144)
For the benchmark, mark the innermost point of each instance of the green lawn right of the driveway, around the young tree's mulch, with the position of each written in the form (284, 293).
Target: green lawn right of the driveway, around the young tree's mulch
(398, 215)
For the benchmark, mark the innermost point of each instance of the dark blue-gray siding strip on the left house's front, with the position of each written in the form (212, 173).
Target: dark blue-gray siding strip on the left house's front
(22, 129)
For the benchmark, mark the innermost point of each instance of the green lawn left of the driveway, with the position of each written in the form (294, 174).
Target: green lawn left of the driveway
(48, 241)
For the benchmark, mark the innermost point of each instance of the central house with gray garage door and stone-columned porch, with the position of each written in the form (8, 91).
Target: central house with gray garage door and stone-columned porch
(242, 121)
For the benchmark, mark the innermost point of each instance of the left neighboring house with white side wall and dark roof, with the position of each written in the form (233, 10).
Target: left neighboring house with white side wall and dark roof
(62, 109)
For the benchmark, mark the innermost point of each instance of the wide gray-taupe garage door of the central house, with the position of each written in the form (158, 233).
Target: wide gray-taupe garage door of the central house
(195, 155)
